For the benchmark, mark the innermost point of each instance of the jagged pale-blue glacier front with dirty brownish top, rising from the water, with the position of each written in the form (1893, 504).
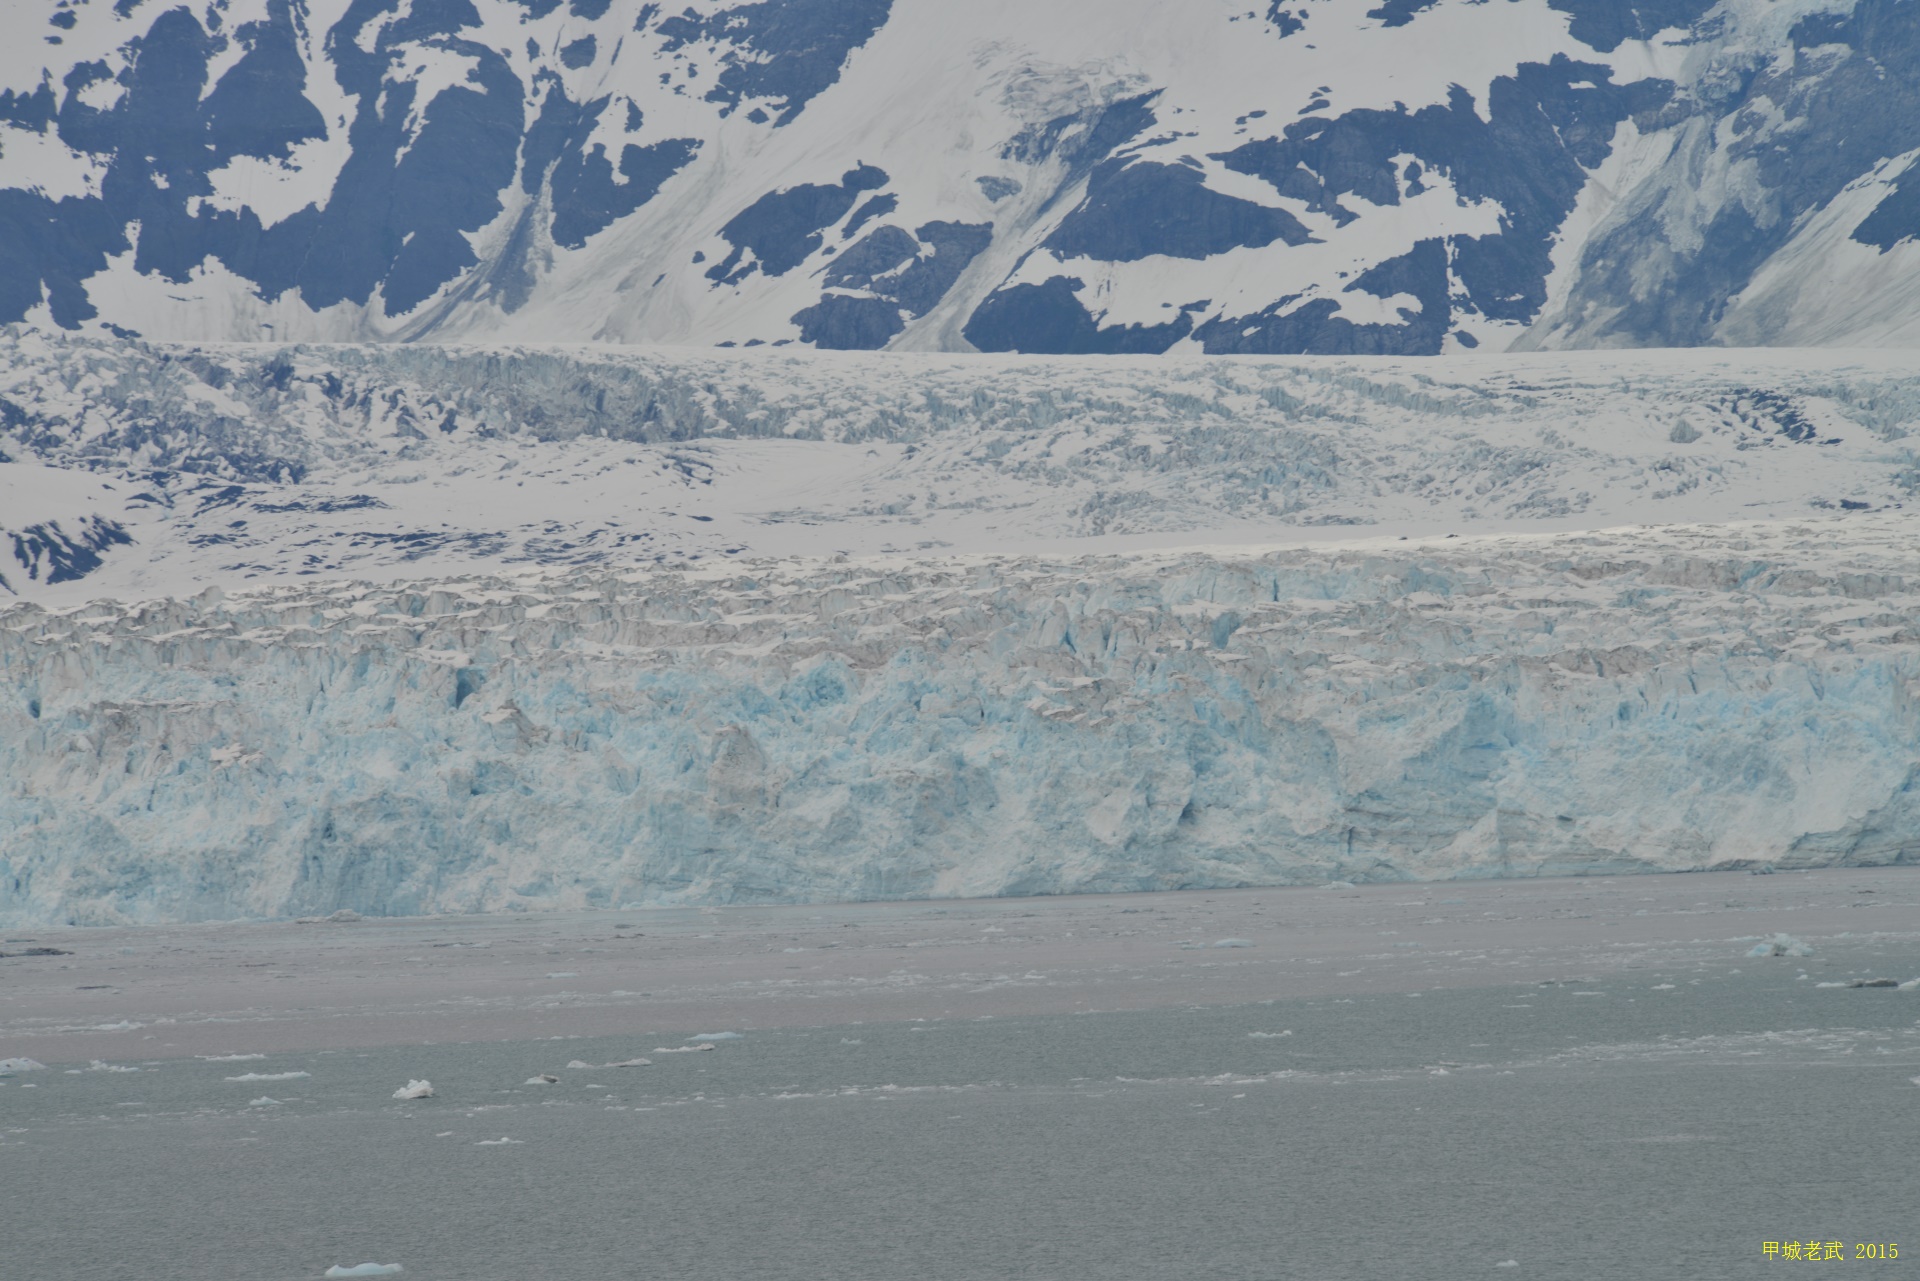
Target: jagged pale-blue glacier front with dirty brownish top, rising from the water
(1660, 700)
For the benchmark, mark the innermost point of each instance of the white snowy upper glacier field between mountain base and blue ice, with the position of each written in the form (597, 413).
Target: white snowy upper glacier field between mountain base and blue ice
(147, 470)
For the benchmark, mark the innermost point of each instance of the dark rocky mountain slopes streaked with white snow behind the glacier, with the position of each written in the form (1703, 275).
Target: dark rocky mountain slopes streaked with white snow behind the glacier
(1059, 176)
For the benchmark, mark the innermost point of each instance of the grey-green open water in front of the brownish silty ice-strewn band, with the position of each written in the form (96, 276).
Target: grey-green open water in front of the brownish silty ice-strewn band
(1625, 1132)
